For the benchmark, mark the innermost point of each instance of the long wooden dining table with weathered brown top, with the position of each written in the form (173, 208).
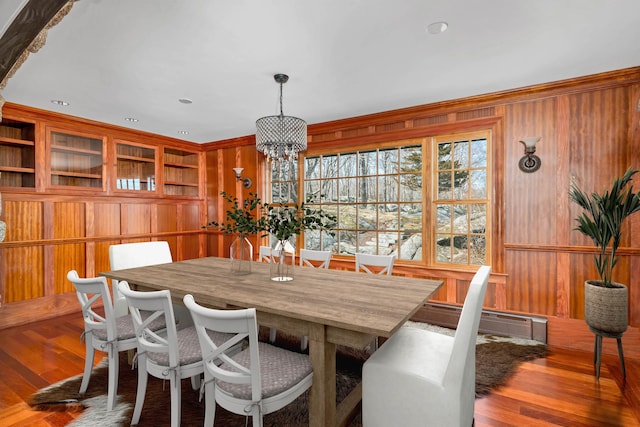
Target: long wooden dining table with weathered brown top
(331, 307)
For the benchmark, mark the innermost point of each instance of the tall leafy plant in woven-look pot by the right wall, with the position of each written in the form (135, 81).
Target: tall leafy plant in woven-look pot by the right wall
(606, 301)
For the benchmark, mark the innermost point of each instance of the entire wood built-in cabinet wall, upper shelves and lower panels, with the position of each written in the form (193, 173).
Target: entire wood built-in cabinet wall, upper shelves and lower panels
(72, 187)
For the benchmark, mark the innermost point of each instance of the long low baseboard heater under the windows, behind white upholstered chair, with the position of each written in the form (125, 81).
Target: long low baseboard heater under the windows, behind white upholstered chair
(491, 322)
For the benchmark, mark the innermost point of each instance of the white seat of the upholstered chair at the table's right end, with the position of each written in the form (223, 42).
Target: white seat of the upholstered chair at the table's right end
(415, 351)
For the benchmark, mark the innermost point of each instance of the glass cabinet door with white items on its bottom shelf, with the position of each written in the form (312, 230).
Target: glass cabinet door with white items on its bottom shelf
(136, 167)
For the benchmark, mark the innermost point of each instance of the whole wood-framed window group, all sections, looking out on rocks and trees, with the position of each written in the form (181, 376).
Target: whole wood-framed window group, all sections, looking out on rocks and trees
(378, 195)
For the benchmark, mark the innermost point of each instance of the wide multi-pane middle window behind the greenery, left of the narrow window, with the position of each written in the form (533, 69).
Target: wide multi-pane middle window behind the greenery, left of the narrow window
(376, 195)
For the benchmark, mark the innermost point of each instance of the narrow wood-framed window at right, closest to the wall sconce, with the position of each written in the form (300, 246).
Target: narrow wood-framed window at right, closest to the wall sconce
(461, 199)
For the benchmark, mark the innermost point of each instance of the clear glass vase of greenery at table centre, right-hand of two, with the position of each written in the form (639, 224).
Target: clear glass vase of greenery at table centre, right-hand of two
(283, 222)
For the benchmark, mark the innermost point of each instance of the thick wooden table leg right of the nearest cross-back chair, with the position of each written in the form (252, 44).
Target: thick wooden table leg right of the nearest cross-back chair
(322, 397)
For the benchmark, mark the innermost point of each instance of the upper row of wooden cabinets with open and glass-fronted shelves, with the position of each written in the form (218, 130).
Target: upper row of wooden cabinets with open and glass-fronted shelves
(79, 160)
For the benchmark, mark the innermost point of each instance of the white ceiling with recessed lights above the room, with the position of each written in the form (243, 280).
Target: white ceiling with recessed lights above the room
(113, 59)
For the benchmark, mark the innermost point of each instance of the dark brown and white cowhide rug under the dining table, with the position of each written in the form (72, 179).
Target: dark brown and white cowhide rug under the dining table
(496, 360)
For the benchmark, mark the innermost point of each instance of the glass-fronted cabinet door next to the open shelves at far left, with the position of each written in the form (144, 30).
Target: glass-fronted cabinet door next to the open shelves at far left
(76, 160)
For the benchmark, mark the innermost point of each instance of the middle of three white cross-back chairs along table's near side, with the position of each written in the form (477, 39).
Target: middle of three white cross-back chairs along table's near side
(173, 355)
